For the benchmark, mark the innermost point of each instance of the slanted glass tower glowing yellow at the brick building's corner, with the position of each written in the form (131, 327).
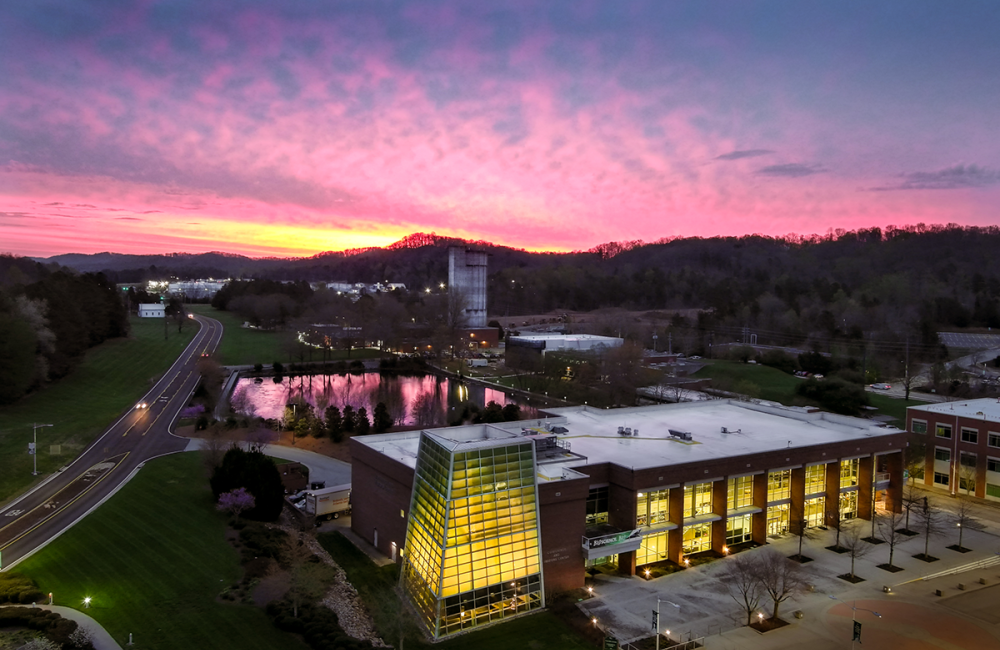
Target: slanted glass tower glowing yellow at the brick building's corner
(472, 540)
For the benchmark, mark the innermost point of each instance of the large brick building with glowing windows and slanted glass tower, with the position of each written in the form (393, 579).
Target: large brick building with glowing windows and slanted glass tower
(488, 519)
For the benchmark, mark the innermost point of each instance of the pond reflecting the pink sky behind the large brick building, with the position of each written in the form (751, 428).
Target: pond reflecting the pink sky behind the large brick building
(412, 400)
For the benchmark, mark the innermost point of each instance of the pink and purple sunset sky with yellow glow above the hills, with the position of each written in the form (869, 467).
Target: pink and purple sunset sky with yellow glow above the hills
(294, 127)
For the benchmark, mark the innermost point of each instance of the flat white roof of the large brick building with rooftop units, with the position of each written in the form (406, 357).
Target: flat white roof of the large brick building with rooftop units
(593, 433)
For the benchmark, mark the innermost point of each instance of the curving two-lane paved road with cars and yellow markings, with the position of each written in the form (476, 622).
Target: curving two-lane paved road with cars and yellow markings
(70, 494)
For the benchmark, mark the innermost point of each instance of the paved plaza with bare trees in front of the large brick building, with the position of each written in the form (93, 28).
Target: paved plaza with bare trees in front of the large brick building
(695, 602)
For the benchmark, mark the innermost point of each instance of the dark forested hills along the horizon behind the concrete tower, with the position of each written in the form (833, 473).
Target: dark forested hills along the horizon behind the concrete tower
(916, 276)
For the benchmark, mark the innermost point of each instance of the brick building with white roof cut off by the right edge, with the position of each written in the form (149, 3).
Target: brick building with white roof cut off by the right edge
(962, 445)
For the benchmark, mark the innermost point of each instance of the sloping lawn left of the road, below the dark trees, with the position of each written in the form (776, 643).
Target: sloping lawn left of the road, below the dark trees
(110, 380)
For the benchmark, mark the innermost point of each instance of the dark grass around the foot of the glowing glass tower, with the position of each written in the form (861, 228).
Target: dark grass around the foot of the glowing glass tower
(540, 631)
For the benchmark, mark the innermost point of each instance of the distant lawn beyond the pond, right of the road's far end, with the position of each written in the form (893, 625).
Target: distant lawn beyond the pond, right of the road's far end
(242, 346)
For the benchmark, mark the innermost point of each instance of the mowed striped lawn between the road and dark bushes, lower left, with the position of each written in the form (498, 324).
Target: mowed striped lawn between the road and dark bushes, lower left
(153, 559)
